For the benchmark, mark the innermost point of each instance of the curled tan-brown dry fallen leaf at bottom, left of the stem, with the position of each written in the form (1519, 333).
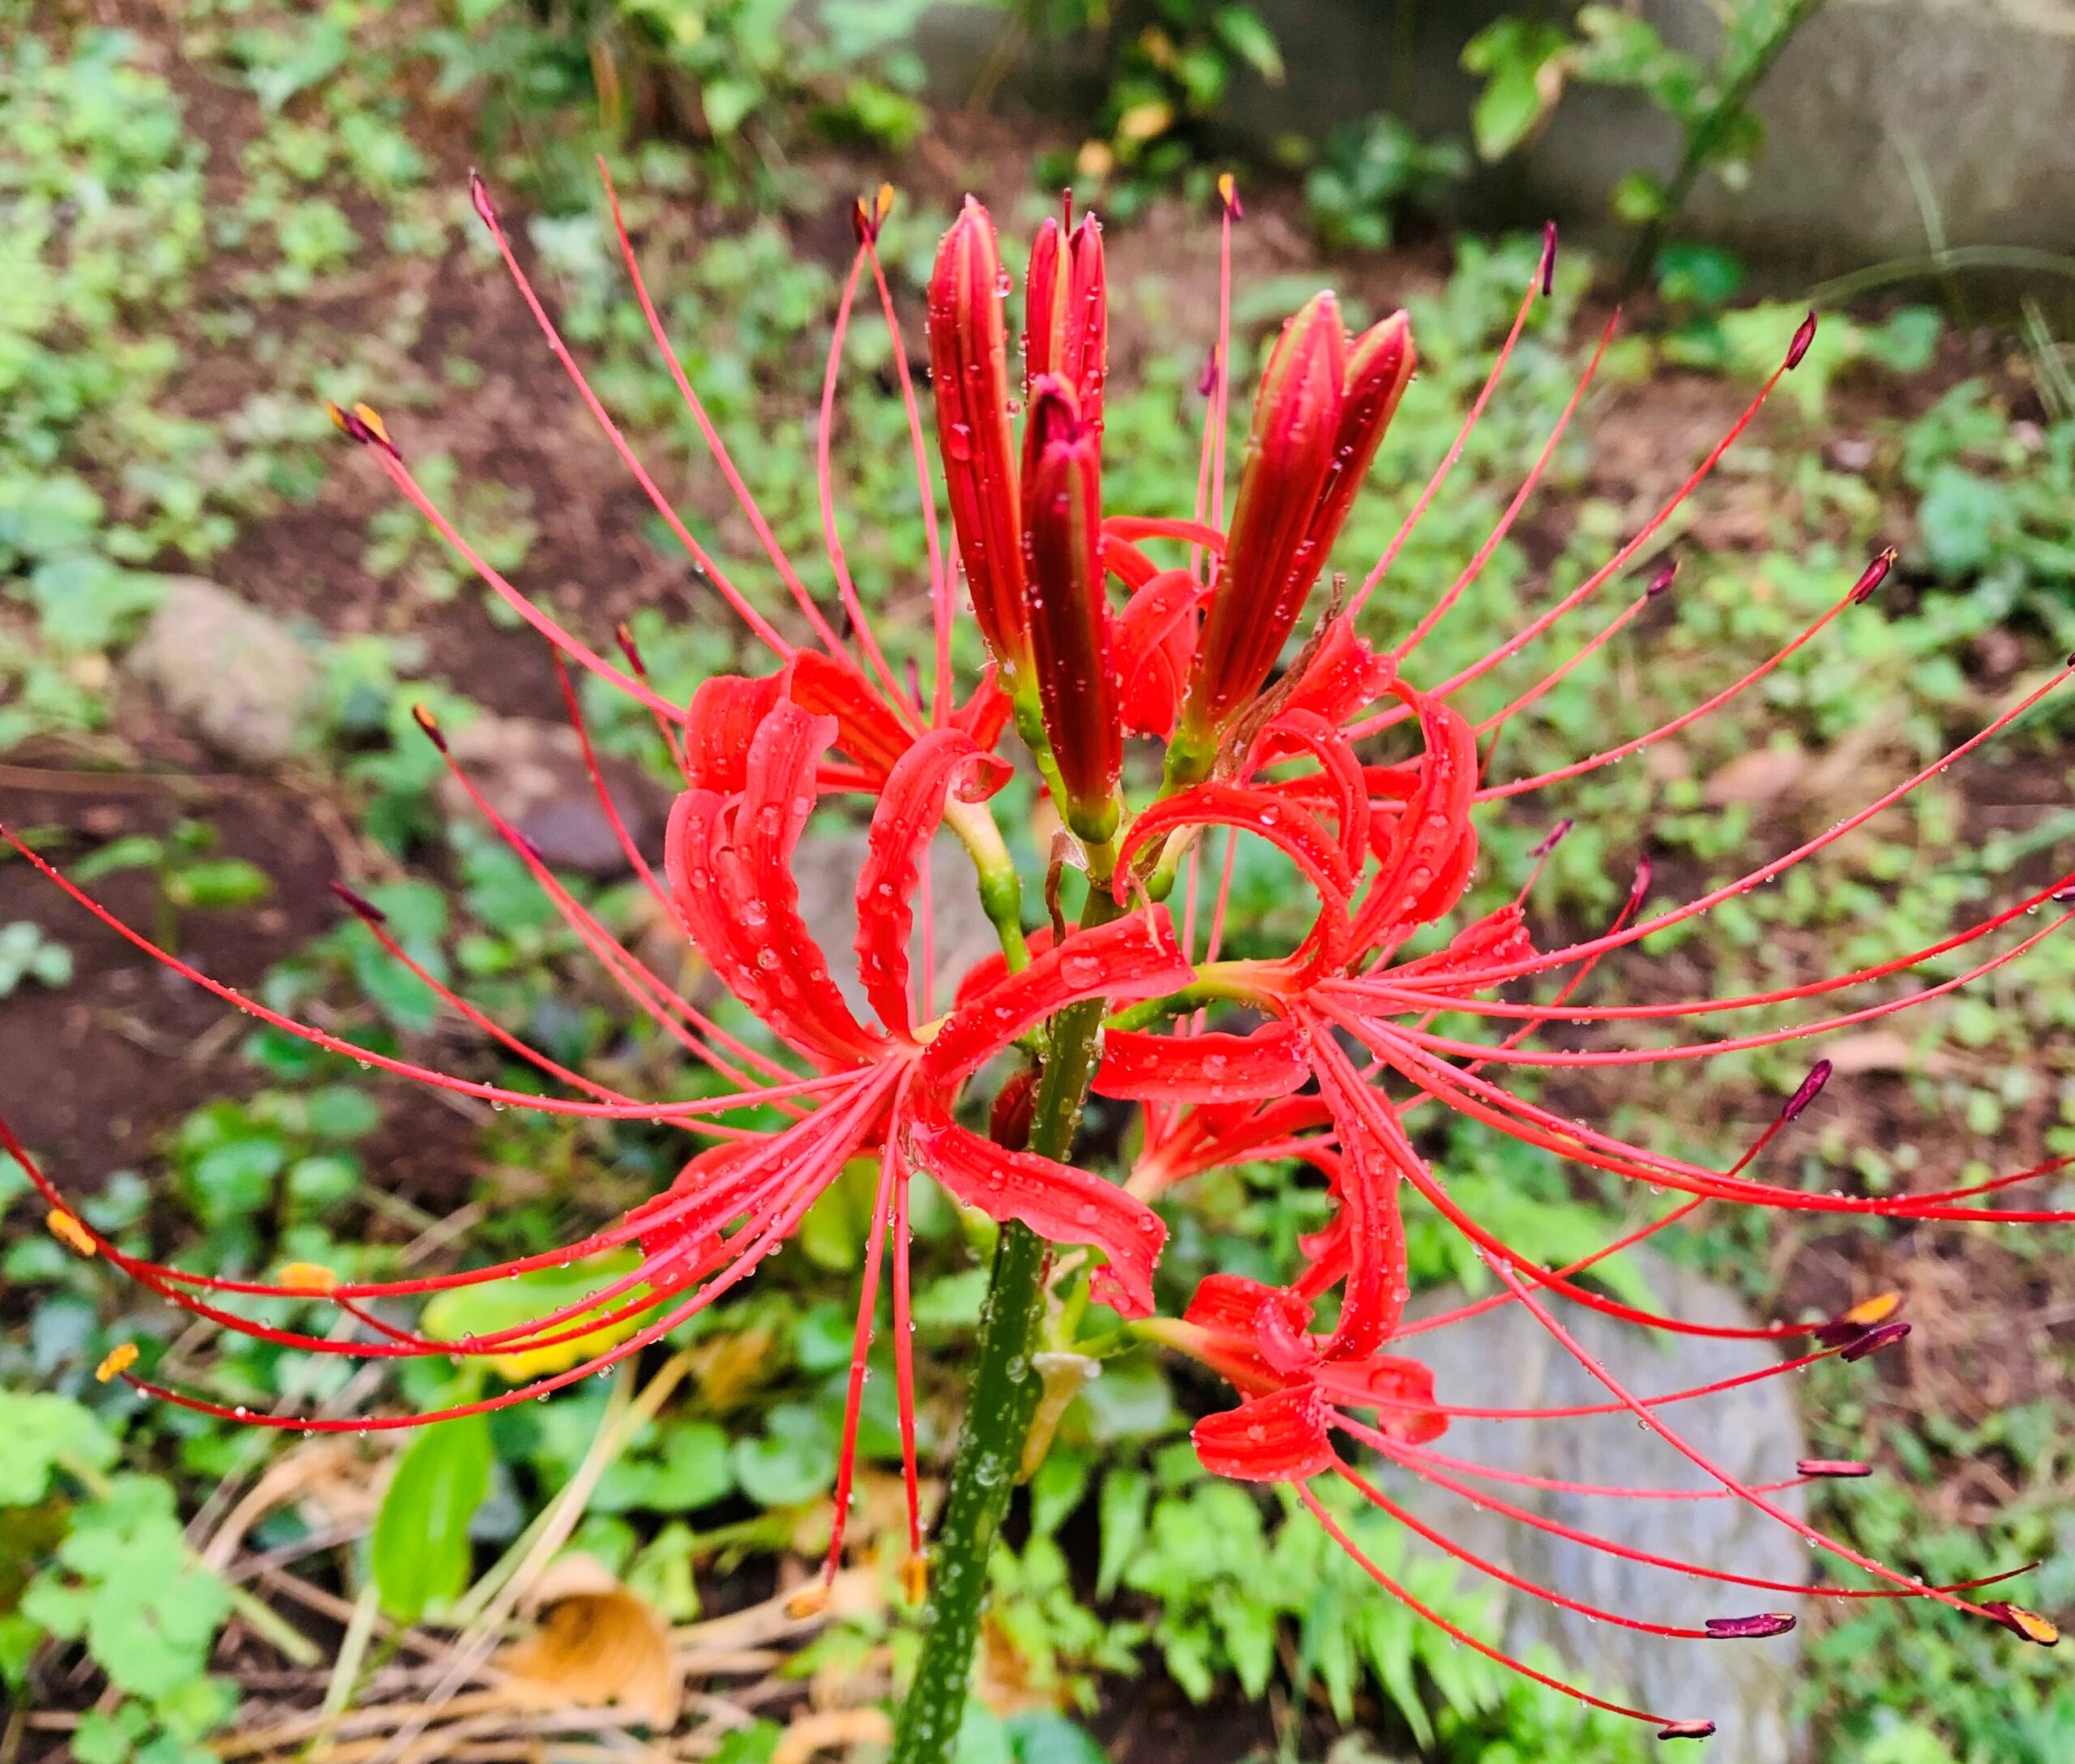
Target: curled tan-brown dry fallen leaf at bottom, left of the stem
(594, 1645)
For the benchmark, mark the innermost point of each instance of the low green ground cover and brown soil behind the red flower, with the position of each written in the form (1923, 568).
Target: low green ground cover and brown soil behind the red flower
(223, 217)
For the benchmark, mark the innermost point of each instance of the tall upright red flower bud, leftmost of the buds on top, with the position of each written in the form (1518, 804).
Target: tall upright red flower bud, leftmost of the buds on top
(970, 377)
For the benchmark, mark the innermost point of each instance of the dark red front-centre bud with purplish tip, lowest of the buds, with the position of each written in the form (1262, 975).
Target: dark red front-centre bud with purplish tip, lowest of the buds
(1068, 617)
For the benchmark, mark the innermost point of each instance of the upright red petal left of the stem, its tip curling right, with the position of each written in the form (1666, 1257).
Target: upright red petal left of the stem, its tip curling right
(912, 806)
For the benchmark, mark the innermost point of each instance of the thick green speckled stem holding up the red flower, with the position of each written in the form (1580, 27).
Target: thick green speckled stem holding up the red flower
(999, 1412)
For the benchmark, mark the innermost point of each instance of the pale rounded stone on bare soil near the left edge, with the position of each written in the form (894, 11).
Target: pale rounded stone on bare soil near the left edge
(227, 669)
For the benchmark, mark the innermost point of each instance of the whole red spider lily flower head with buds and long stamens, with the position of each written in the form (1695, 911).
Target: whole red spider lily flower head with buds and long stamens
(1329, 1053)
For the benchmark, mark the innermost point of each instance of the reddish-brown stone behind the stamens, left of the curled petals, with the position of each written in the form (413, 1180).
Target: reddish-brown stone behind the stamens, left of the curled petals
(532, 773)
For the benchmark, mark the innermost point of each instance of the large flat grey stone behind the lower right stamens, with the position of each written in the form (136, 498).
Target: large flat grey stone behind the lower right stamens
(1507, 1360)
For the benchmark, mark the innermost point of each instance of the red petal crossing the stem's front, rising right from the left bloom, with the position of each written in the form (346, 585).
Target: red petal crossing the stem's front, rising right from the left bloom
(1126, 960)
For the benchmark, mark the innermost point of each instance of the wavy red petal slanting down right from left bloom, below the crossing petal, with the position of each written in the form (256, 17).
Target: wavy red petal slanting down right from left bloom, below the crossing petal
(1055, 1201)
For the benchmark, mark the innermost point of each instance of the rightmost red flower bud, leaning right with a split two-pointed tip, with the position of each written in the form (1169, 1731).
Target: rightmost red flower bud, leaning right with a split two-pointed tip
(1319, 420)
